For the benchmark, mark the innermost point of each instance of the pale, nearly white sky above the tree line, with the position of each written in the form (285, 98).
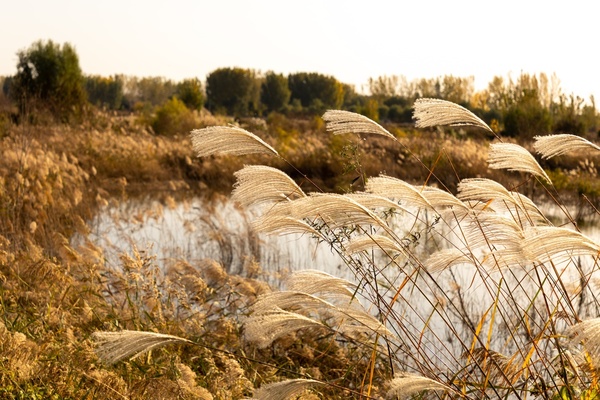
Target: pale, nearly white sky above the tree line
(351, 40)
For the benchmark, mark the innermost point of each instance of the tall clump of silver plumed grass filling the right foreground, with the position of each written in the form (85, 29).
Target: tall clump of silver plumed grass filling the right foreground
(473, 294)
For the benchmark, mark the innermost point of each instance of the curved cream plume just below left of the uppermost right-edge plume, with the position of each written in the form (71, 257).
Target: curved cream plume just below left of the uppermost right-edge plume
(512, 157)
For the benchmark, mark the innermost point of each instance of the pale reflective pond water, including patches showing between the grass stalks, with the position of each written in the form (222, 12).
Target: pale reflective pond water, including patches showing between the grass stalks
(198, 229)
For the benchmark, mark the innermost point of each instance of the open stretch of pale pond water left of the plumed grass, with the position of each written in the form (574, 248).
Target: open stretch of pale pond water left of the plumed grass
(198, 229)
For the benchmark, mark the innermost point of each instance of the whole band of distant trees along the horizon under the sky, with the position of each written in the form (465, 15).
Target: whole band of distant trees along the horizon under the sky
(49, 78)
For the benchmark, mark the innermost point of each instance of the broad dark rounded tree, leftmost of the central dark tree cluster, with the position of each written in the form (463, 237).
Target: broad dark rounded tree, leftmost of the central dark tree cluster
(233, 91)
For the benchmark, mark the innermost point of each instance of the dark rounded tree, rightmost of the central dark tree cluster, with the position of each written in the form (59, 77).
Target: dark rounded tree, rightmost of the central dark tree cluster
(315, 91)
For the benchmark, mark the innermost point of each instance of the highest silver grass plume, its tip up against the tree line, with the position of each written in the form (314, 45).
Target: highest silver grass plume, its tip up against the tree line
(434, 112)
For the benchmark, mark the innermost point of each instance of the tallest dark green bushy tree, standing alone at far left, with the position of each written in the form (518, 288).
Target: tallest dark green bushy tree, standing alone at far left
(49, 77)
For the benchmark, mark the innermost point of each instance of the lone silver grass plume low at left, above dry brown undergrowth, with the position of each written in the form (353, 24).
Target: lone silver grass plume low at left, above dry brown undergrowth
(116, 346)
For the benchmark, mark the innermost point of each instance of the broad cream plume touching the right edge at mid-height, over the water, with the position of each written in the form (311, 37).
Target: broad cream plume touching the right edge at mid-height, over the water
(550, 243)
